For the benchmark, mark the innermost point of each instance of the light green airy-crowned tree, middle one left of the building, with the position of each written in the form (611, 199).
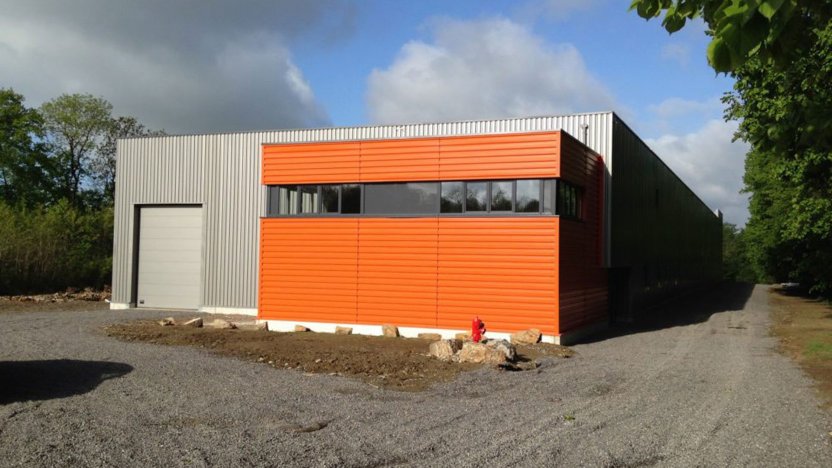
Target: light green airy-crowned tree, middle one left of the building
(76, 125)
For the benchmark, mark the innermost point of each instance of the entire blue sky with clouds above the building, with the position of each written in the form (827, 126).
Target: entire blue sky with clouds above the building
(200, 66)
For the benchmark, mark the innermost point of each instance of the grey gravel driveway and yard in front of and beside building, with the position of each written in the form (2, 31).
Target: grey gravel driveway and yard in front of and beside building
(707, 390)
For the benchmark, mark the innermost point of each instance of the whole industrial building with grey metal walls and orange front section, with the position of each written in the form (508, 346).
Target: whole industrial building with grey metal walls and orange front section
(558, 223)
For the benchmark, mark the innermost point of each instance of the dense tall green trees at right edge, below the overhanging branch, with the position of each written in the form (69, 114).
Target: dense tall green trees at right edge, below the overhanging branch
(785, 116)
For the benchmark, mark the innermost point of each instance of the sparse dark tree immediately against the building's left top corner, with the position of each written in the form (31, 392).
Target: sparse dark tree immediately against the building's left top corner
(103, 164)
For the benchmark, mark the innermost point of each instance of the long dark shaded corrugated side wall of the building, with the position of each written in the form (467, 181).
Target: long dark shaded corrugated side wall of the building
(663, 236)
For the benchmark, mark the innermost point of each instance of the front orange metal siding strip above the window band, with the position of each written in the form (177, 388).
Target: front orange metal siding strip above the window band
(511, 156)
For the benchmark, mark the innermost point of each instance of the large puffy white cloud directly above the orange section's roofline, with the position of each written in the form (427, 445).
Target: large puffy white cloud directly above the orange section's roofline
(489, 68)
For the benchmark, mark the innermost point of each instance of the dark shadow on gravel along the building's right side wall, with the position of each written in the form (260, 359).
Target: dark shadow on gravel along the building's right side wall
(688, 309)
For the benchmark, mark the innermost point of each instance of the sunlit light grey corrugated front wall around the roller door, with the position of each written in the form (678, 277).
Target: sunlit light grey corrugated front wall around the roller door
(222, 173)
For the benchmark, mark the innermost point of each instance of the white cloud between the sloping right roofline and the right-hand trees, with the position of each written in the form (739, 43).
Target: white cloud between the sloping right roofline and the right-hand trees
(711, 164)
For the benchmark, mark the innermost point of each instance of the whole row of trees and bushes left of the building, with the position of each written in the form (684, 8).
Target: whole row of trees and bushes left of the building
(57, 183)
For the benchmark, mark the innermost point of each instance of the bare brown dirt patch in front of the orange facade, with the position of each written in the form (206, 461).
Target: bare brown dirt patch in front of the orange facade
(393, 363)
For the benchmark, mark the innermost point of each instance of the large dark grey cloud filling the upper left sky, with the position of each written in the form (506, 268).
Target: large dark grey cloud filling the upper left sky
(219, 67)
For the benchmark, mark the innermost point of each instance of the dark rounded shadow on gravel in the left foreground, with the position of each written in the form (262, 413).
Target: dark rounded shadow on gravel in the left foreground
(60, 378)
